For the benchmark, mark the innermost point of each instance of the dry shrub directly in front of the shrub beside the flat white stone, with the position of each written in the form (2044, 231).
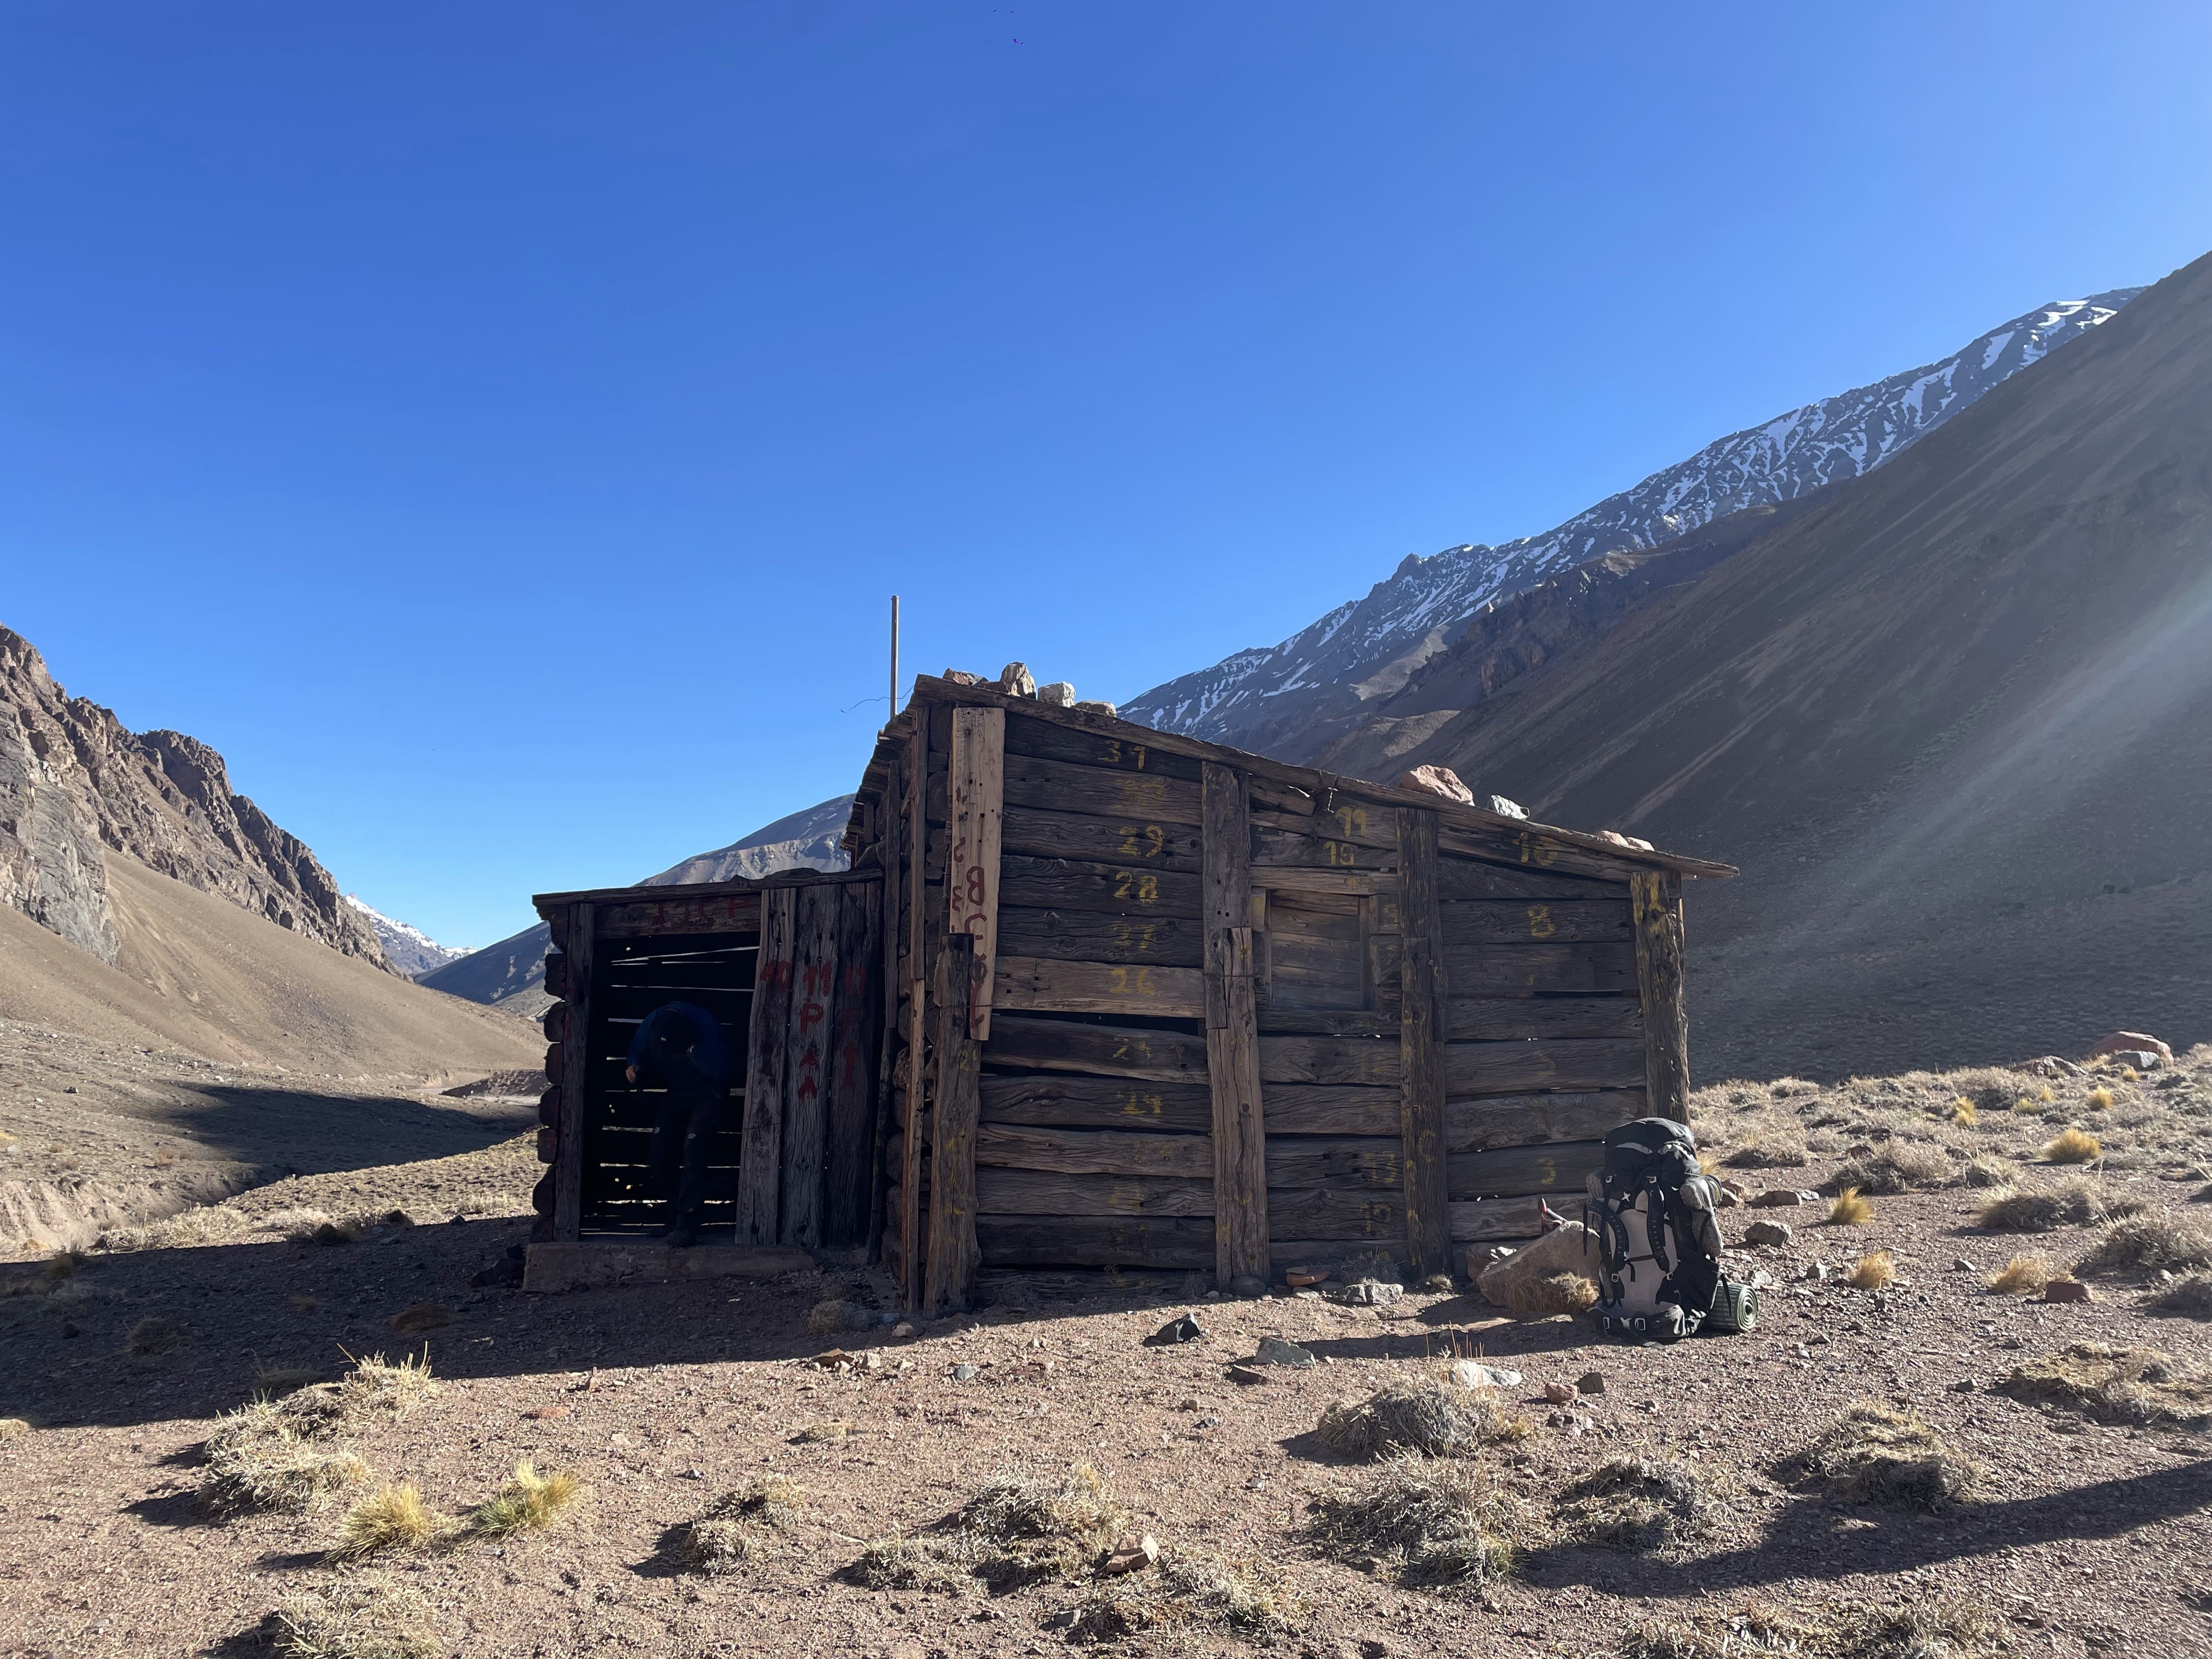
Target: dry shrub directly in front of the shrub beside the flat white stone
(1430, 1523)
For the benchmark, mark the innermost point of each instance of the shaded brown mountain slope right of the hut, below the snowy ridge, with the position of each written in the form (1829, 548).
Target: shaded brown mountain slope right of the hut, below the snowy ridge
(1954, 720)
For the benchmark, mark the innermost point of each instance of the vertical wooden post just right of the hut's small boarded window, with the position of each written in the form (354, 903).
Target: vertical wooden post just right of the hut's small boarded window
(1421, 1054)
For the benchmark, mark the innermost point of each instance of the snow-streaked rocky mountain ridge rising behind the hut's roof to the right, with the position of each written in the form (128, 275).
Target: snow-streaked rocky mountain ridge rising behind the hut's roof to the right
(1288, 698)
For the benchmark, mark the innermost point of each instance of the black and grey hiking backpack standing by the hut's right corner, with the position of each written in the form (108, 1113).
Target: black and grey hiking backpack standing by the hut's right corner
(1651, 1211)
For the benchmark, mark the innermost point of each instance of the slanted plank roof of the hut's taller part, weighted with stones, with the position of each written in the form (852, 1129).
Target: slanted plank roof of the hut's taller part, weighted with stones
(1302, 789)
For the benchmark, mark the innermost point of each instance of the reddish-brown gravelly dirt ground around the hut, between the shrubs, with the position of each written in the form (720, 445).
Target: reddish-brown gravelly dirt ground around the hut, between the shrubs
(660, 1399)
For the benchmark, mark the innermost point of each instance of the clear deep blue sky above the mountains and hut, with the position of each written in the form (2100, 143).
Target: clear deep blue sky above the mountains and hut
(499, 428)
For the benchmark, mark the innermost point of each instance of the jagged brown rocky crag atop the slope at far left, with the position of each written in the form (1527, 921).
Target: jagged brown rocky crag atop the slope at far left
(79, 789)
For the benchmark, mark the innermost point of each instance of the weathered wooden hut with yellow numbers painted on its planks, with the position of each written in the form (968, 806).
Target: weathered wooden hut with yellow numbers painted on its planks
(1100, 997)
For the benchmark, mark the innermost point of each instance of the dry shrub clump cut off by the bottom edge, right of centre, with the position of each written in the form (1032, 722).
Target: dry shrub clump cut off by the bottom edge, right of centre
(1923, 1629)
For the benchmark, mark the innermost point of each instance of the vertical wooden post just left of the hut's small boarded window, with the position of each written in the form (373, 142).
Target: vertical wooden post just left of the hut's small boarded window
(1233, 1030)
